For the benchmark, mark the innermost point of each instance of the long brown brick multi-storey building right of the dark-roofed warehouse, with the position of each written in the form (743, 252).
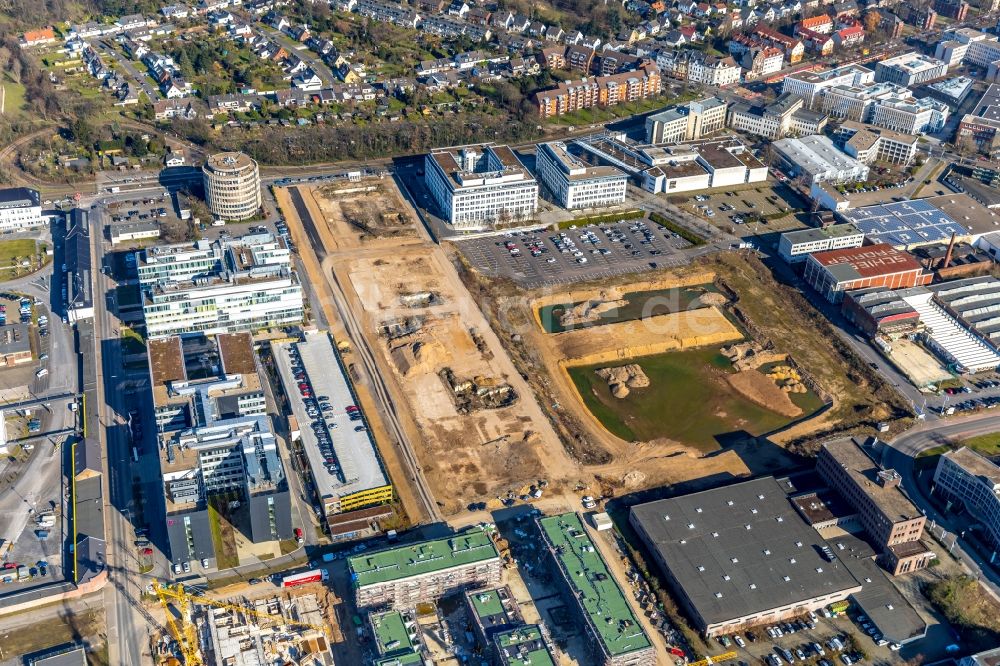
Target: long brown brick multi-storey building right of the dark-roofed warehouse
(888, 516)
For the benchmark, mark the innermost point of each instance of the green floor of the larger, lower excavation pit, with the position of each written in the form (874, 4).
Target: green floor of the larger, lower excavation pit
(688, 400)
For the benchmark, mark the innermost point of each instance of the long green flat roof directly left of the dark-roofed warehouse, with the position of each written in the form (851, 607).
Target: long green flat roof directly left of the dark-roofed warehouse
(594, 588)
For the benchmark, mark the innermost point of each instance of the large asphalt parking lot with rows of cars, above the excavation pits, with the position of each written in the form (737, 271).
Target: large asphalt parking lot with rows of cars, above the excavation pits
(542, 257)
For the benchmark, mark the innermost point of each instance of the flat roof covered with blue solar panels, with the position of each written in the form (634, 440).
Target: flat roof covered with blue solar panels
(903, 223)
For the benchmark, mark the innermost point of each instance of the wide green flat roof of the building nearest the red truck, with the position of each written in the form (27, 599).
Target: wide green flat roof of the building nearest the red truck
(426, 557)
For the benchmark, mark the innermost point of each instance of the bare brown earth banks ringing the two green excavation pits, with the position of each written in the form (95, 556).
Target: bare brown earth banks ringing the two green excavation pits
(774, 314)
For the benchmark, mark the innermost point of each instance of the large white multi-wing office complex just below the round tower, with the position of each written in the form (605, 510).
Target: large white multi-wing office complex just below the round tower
(241, 285)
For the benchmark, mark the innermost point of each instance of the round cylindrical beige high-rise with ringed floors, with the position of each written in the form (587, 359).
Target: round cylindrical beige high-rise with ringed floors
(232, 186)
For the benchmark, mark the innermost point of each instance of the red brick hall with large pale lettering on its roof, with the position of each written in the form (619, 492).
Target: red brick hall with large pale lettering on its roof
(833, 272)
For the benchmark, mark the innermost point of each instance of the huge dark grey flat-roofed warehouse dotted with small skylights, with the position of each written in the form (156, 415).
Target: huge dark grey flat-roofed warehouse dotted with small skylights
(740, 550)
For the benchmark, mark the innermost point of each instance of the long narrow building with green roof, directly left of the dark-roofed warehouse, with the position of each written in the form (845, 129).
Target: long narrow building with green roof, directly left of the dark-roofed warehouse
(615, 635)
